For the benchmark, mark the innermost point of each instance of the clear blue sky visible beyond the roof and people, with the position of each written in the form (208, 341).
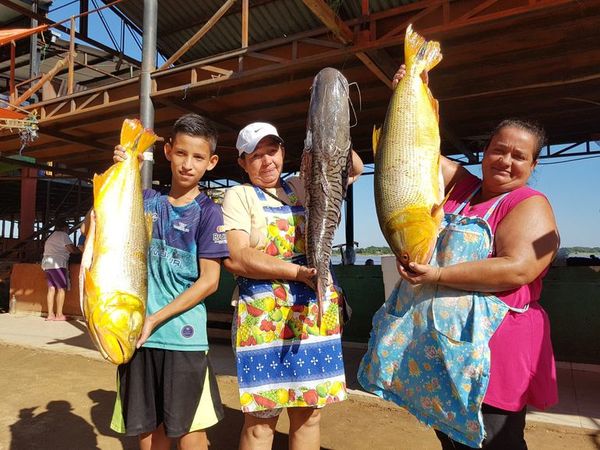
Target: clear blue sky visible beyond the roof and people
(572, 184)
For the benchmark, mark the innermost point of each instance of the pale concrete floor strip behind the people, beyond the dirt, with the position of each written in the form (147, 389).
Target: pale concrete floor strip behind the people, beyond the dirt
(579, 384)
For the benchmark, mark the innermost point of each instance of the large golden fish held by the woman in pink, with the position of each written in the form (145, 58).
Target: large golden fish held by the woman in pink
(409, 189)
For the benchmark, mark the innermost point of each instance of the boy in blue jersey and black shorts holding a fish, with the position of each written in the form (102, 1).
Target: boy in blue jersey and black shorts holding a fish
(168, 389)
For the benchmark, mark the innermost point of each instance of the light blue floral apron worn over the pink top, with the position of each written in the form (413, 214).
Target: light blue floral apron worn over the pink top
(428, 350)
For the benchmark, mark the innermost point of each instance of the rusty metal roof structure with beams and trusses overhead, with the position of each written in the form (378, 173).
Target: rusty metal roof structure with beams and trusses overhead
(536, 59)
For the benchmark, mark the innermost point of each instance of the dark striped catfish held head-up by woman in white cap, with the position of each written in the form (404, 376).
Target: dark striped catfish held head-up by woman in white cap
(325, 168)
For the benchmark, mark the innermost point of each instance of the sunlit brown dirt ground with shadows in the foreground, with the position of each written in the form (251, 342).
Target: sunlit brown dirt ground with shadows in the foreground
(57, 401)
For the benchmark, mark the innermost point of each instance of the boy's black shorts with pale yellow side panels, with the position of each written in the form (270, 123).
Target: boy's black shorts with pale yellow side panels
(175, 388)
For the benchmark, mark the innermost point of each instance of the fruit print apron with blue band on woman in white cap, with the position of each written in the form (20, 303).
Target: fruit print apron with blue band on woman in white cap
(283, 358)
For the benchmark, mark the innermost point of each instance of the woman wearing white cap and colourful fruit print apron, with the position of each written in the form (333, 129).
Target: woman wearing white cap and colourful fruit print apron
(284, 359)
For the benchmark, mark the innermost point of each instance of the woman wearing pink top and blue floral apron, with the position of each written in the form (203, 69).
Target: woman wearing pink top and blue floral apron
(501, 290)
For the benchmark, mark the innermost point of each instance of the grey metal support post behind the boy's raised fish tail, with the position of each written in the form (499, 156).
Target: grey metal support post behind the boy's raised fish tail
(148, 66)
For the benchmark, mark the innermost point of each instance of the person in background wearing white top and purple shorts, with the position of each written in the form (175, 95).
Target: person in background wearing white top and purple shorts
(55, 263)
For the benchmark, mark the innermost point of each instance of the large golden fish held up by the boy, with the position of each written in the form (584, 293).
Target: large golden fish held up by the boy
(113, 277)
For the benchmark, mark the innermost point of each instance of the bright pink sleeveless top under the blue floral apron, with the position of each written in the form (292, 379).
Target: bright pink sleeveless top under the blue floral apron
(522, 361)
